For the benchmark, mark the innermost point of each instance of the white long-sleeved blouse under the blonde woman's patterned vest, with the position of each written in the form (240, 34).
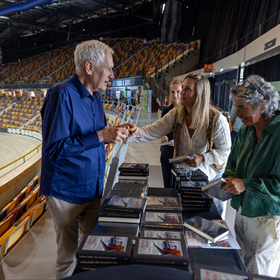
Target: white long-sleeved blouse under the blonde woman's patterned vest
(197, 144)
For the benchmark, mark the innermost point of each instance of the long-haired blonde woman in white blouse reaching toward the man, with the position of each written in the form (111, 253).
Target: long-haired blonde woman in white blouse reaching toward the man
(198, 128)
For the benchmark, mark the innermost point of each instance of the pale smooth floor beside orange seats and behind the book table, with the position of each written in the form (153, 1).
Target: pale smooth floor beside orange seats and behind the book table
(34, 257)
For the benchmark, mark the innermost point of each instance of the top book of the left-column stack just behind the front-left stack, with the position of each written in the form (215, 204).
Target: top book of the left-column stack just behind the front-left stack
(124, 204)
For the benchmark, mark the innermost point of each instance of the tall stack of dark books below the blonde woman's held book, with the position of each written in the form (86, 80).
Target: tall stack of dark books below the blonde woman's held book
(192, 196)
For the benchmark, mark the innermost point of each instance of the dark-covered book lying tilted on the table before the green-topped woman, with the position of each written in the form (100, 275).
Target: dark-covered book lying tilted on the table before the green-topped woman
(206, 228)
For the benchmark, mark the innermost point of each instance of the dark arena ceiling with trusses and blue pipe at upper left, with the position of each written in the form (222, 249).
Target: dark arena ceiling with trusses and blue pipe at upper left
(50, 23)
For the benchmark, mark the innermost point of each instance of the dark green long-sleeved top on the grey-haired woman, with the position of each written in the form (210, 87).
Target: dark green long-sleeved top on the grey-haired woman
(259, 165)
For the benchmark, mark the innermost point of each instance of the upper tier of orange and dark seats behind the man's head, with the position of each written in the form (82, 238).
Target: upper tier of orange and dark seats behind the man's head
(132, 57)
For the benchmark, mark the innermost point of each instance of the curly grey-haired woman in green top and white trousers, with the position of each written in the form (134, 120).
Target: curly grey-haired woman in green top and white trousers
(253, 175)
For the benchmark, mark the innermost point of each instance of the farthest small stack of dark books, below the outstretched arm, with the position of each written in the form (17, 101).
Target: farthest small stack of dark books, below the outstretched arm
(134, 172)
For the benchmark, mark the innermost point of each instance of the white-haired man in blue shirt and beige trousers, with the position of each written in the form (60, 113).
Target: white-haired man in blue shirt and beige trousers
(73, 153)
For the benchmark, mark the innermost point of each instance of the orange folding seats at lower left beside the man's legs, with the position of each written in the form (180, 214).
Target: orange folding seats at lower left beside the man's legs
(20, 214)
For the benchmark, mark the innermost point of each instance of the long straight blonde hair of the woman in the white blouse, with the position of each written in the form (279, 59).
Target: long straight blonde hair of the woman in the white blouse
(200, 111)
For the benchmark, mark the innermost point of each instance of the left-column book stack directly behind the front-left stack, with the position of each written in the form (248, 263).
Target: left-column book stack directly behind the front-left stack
(123, 206)
